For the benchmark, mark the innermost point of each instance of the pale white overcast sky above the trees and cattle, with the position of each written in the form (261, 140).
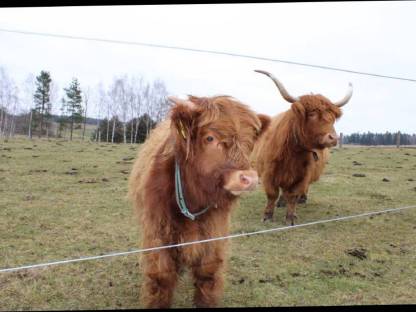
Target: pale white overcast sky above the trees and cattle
(375, 37)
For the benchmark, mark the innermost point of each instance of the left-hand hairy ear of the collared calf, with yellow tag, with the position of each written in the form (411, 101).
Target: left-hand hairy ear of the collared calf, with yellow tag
(183, 120)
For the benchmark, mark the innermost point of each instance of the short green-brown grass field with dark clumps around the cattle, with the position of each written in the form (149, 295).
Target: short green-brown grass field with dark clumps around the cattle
(62, 200)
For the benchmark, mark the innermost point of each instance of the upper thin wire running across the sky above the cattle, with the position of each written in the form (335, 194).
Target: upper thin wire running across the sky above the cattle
(204, 51)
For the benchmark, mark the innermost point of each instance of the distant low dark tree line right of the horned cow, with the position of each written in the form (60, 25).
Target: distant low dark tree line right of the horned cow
(387, 138)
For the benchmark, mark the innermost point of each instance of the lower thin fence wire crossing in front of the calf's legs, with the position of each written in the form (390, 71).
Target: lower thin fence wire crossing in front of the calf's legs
(203, 241)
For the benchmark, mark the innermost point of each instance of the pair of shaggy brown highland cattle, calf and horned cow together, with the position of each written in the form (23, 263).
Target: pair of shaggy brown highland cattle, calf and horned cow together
(194, 166)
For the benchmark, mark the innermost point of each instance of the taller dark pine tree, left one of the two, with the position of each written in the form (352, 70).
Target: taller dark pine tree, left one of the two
(41, 97)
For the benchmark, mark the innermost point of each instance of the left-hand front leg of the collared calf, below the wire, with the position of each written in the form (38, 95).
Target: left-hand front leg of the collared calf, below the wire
(160, 277)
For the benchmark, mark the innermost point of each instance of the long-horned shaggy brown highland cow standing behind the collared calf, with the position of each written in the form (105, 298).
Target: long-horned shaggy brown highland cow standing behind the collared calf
(288, 154)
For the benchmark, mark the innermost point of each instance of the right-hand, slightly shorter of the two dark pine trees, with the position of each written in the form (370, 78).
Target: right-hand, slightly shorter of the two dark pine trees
(73, 104)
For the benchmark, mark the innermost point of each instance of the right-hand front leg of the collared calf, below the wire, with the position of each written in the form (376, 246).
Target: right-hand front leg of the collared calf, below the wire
(208, 279)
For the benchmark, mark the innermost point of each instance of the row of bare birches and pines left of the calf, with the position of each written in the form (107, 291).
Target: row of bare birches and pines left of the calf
(126, 110)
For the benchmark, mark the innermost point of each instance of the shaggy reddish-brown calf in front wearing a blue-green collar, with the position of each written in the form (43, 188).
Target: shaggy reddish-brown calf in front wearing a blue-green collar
(187, 177)
